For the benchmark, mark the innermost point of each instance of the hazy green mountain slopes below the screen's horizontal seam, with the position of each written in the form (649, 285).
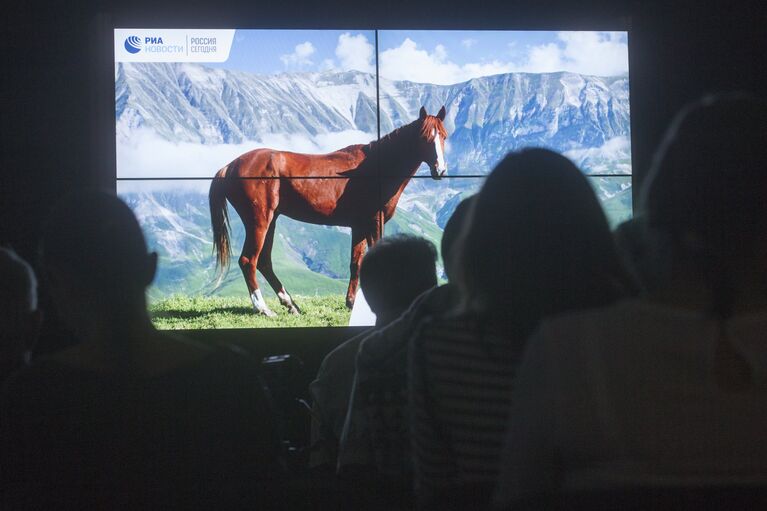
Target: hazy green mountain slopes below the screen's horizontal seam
(310, 260)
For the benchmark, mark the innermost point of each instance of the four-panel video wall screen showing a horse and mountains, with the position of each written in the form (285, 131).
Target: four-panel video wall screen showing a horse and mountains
(266, 114)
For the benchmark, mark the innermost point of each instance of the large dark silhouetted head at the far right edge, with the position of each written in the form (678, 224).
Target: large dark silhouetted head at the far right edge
(707, 188)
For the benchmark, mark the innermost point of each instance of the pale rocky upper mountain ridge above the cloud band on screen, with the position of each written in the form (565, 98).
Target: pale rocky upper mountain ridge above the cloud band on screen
(487, 116)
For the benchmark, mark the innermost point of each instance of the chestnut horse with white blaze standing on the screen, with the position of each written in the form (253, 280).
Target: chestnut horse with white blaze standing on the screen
(357, 186)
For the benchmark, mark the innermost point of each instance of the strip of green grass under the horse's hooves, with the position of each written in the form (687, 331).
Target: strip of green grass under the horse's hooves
(199, 312)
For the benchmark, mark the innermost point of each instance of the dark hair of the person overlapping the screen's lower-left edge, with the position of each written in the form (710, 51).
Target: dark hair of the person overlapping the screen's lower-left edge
(94, 236)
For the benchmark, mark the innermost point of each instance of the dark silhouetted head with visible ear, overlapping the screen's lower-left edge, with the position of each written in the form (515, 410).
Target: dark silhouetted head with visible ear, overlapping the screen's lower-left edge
(95, 256)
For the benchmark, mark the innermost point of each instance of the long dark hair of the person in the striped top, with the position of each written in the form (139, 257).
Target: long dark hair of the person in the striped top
(537, 243)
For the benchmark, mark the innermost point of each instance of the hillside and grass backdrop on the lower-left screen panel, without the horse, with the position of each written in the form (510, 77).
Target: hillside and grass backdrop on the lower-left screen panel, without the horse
(188, 292)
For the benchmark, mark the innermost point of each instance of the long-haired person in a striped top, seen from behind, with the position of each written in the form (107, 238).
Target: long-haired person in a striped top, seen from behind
(536, 244)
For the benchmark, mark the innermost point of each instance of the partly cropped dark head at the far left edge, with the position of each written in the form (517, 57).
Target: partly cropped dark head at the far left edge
(19, 315)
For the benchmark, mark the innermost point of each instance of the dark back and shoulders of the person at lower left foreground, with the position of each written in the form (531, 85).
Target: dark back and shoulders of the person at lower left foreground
(206, 421)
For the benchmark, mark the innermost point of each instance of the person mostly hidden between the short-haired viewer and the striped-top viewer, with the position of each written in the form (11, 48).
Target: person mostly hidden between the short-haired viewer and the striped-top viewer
(376, 432)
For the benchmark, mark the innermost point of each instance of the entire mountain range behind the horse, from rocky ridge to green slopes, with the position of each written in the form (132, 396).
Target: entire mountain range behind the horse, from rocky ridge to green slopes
(585, 117)
